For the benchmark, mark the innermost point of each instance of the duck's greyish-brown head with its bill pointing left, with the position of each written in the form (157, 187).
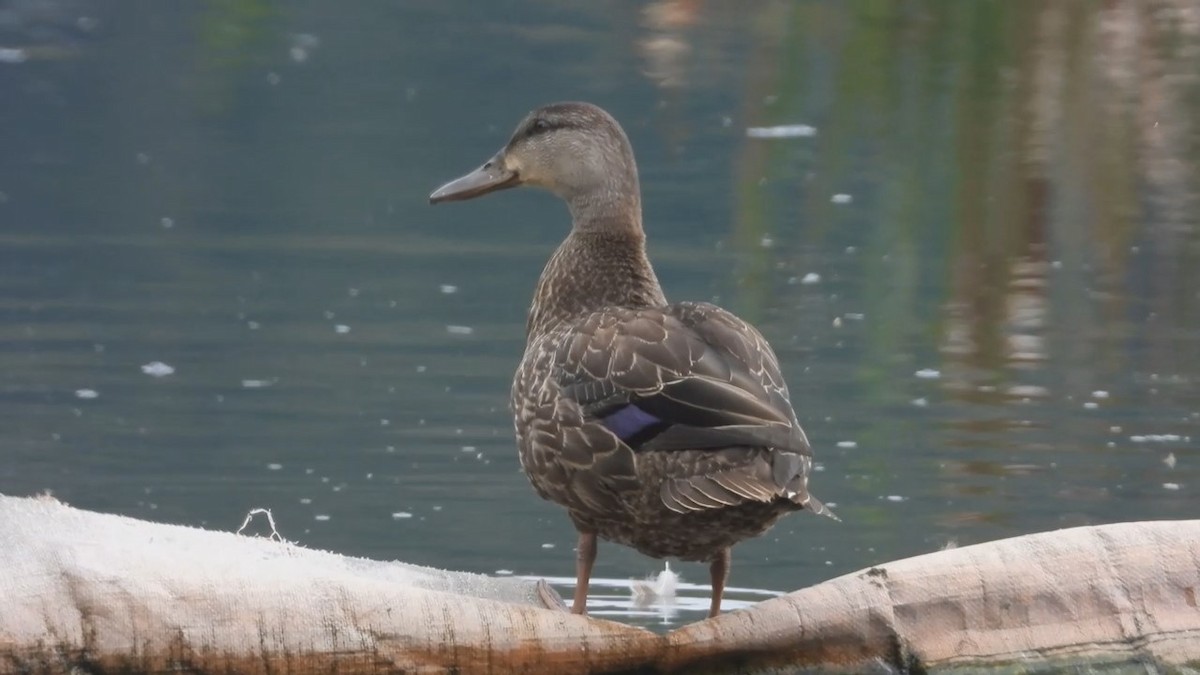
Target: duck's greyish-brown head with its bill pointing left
(575, 151)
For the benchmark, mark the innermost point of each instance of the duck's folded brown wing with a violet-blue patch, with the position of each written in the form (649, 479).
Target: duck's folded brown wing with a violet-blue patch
(689, 377)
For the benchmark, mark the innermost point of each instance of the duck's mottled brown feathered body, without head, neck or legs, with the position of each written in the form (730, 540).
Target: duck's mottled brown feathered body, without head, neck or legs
(665, 428)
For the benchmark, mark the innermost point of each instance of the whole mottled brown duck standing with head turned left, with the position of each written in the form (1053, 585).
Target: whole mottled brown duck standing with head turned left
(663, 427)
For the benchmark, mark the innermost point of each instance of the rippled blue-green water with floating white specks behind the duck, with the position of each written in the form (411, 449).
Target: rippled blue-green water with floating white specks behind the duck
(221, 288)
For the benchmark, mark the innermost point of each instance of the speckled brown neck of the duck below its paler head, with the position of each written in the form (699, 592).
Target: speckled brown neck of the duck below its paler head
(601, 265)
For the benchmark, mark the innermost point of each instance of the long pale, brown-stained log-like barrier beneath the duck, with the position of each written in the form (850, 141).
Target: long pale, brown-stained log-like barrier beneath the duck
(86, 593)
